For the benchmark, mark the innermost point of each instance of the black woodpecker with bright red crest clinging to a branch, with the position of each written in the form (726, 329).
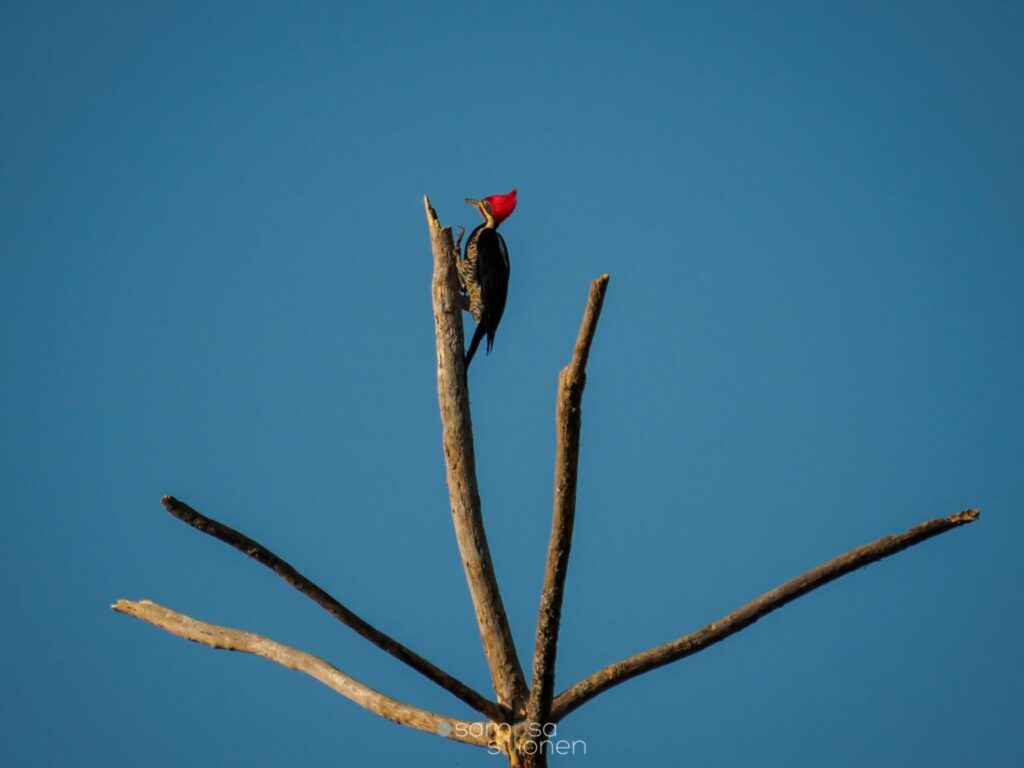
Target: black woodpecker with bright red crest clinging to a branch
(485, 270)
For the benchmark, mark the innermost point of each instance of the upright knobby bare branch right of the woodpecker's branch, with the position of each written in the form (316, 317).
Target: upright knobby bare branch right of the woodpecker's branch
(572, 381)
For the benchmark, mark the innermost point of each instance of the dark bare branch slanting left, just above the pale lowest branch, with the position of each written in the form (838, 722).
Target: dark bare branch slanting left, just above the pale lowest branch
(263, 556)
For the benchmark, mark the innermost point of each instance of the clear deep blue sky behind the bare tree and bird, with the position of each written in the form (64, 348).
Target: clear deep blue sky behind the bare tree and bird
(217, 285)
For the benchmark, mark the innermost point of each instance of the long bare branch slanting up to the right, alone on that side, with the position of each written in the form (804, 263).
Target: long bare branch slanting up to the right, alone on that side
(697, 642)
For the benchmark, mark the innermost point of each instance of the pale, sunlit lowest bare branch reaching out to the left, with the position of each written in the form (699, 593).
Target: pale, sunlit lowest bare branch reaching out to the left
(248, 643)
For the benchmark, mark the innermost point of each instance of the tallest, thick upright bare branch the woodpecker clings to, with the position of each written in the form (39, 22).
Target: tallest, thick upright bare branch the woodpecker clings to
(460, 461)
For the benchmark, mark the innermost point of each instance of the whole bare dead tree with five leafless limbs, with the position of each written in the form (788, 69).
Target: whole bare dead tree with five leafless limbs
(518, 720)
